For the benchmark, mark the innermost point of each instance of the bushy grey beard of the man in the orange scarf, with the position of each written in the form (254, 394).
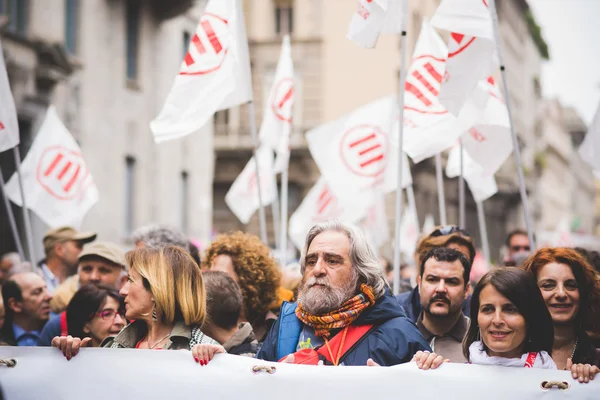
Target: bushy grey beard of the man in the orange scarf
(319, 300)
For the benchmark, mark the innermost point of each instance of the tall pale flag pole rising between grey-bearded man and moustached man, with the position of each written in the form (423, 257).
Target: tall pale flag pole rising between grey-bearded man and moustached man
(403, 55)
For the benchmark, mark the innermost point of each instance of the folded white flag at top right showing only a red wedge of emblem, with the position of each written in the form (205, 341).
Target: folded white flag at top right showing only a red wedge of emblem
(471, 49)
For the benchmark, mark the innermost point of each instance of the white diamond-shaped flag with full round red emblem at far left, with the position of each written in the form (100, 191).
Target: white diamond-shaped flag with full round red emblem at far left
(56, 180)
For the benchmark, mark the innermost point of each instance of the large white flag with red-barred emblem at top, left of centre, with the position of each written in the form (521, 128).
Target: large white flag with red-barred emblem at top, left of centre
(214, 75)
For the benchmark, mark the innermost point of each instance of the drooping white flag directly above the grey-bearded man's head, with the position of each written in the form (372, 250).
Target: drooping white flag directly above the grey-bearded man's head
(321, 204)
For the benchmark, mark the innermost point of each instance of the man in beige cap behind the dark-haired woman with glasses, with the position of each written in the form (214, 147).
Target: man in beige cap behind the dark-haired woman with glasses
(99, 263)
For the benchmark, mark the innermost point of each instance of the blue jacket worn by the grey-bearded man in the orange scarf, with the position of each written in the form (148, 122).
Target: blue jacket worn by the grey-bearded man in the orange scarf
(393, 340)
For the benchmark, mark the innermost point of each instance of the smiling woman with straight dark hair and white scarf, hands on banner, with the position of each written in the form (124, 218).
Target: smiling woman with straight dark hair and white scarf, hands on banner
(510, 325)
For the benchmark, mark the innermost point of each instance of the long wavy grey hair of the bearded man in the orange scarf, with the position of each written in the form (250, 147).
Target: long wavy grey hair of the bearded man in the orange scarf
(362, 255)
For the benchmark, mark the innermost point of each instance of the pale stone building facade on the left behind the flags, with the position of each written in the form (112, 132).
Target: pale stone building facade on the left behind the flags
(107, 66)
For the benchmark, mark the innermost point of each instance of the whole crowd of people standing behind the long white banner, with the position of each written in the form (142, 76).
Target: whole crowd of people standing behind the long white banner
(541, 309)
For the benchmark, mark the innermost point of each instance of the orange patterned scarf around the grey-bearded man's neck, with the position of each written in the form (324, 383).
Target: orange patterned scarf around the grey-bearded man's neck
(340, 318)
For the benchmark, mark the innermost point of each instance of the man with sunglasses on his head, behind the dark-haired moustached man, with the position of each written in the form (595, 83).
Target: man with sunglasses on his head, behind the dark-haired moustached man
(449, 236)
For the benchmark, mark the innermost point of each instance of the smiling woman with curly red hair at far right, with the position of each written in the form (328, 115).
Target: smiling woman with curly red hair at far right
(571, 291)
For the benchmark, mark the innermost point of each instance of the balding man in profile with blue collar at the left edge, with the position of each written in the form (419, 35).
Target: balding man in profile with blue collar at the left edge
(27, 303)
